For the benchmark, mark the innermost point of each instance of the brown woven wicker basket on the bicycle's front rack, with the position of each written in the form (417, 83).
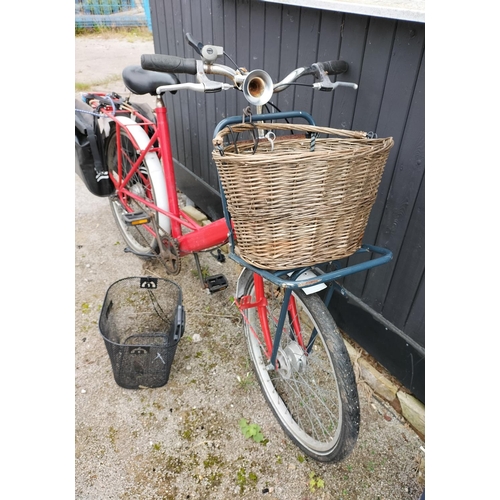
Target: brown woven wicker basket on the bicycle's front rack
(299, 200)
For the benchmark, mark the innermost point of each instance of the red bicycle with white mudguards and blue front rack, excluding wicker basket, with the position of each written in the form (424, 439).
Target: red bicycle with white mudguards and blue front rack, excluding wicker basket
(297, 351)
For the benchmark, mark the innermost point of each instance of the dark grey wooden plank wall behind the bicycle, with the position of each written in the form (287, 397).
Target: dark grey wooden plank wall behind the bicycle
(387, 60)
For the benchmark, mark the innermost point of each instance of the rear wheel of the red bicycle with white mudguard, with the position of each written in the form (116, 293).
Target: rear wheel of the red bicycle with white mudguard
(148, 182)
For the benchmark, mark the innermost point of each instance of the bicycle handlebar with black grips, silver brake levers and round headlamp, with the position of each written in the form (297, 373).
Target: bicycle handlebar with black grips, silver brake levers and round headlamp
(256, 85)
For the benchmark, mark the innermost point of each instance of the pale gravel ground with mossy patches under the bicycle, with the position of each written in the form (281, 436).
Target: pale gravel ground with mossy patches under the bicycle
(182, 441)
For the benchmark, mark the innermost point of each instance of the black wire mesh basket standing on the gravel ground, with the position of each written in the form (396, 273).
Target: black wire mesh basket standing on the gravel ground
(141, 322)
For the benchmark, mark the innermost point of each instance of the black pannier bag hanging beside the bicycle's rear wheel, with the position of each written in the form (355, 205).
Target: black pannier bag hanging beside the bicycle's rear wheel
(90, 164)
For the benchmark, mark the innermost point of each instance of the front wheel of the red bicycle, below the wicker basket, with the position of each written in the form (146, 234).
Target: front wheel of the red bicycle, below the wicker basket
(314, 397)
